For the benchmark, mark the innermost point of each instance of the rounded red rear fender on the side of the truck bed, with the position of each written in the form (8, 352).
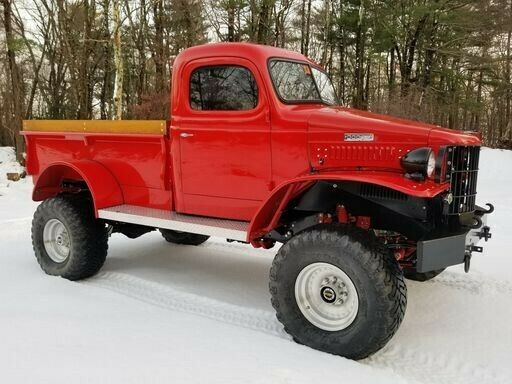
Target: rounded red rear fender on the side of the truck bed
(104, 188)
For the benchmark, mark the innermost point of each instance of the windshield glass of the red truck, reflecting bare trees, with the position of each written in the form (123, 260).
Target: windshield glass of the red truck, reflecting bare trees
(299, 82)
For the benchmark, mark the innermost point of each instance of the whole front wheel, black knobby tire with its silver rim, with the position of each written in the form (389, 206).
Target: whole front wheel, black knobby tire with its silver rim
(336, 289)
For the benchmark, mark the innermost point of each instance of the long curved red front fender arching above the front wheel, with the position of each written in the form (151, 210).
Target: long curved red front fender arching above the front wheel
(270, 212)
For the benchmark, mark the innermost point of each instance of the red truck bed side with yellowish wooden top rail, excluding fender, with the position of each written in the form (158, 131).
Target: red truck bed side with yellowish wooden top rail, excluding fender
(135, 151)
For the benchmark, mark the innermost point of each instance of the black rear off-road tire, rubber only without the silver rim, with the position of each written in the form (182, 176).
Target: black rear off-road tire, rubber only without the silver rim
(88, 237)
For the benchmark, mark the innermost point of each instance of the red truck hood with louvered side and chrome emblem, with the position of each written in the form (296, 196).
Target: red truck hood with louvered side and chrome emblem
(388, 139)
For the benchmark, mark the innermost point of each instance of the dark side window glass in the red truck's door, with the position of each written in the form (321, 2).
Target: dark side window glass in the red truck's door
(223, 88)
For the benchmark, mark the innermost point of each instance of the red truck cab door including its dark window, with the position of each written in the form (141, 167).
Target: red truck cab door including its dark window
(224, 135)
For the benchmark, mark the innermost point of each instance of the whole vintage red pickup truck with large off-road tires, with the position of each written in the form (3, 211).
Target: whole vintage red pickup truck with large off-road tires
(258, 151)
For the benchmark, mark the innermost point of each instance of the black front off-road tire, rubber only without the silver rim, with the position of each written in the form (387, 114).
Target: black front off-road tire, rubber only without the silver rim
(374, 272)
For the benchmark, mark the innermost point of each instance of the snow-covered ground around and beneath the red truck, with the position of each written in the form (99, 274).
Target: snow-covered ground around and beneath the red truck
(167, 313)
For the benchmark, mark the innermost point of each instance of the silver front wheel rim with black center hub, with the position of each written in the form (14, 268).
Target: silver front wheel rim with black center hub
(326, 296)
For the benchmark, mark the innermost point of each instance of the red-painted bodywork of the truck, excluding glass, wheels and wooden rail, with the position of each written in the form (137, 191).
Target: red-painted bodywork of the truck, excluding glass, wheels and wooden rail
(243, 165)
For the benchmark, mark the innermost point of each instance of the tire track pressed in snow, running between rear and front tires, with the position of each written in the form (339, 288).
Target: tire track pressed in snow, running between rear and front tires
(173, 299)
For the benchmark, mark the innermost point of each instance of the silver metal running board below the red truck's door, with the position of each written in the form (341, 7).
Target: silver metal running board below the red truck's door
(159, 218)
